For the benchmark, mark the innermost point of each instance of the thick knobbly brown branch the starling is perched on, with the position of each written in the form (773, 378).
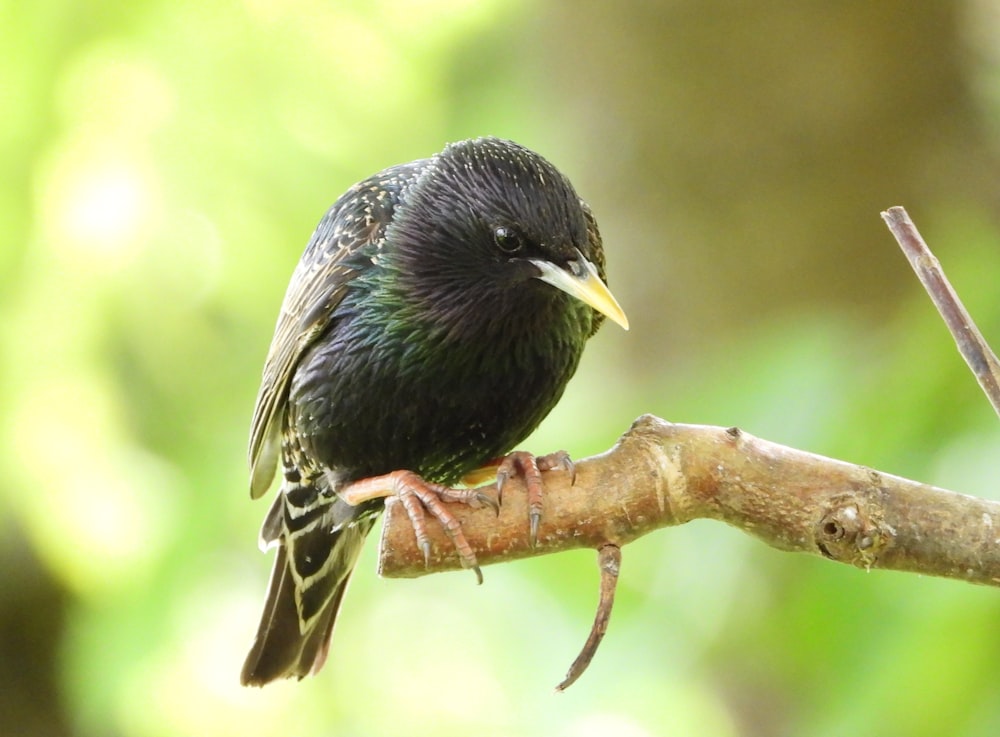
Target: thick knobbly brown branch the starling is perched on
(661, 474)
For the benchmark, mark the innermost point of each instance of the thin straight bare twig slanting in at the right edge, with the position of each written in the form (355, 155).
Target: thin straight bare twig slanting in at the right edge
(971, 344)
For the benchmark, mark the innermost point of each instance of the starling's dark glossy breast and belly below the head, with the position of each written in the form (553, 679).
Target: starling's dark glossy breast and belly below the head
(379, 394)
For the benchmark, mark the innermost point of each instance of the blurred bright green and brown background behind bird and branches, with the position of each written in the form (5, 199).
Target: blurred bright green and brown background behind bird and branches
(164, 164)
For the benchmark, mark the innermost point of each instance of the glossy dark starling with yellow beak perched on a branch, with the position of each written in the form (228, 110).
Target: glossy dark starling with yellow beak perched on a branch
(434, 319)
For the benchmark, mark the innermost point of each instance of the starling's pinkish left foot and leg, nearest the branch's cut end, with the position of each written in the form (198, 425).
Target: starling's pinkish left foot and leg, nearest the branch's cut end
(419, 496)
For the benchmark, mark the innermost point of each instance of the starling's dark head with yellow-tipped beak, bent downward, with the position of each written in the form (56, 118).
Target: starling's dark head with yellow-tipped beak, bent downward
(493, 219)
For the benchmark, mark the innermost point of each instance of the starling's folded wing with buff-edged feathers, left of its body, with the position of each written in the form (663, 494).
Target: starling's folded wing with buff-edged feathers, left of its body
(357, 219)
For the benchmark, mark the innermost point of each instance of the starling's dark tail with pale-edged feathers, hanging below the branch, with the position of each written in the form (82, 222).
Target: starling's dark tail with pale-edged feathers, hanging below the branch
(318, 544)
